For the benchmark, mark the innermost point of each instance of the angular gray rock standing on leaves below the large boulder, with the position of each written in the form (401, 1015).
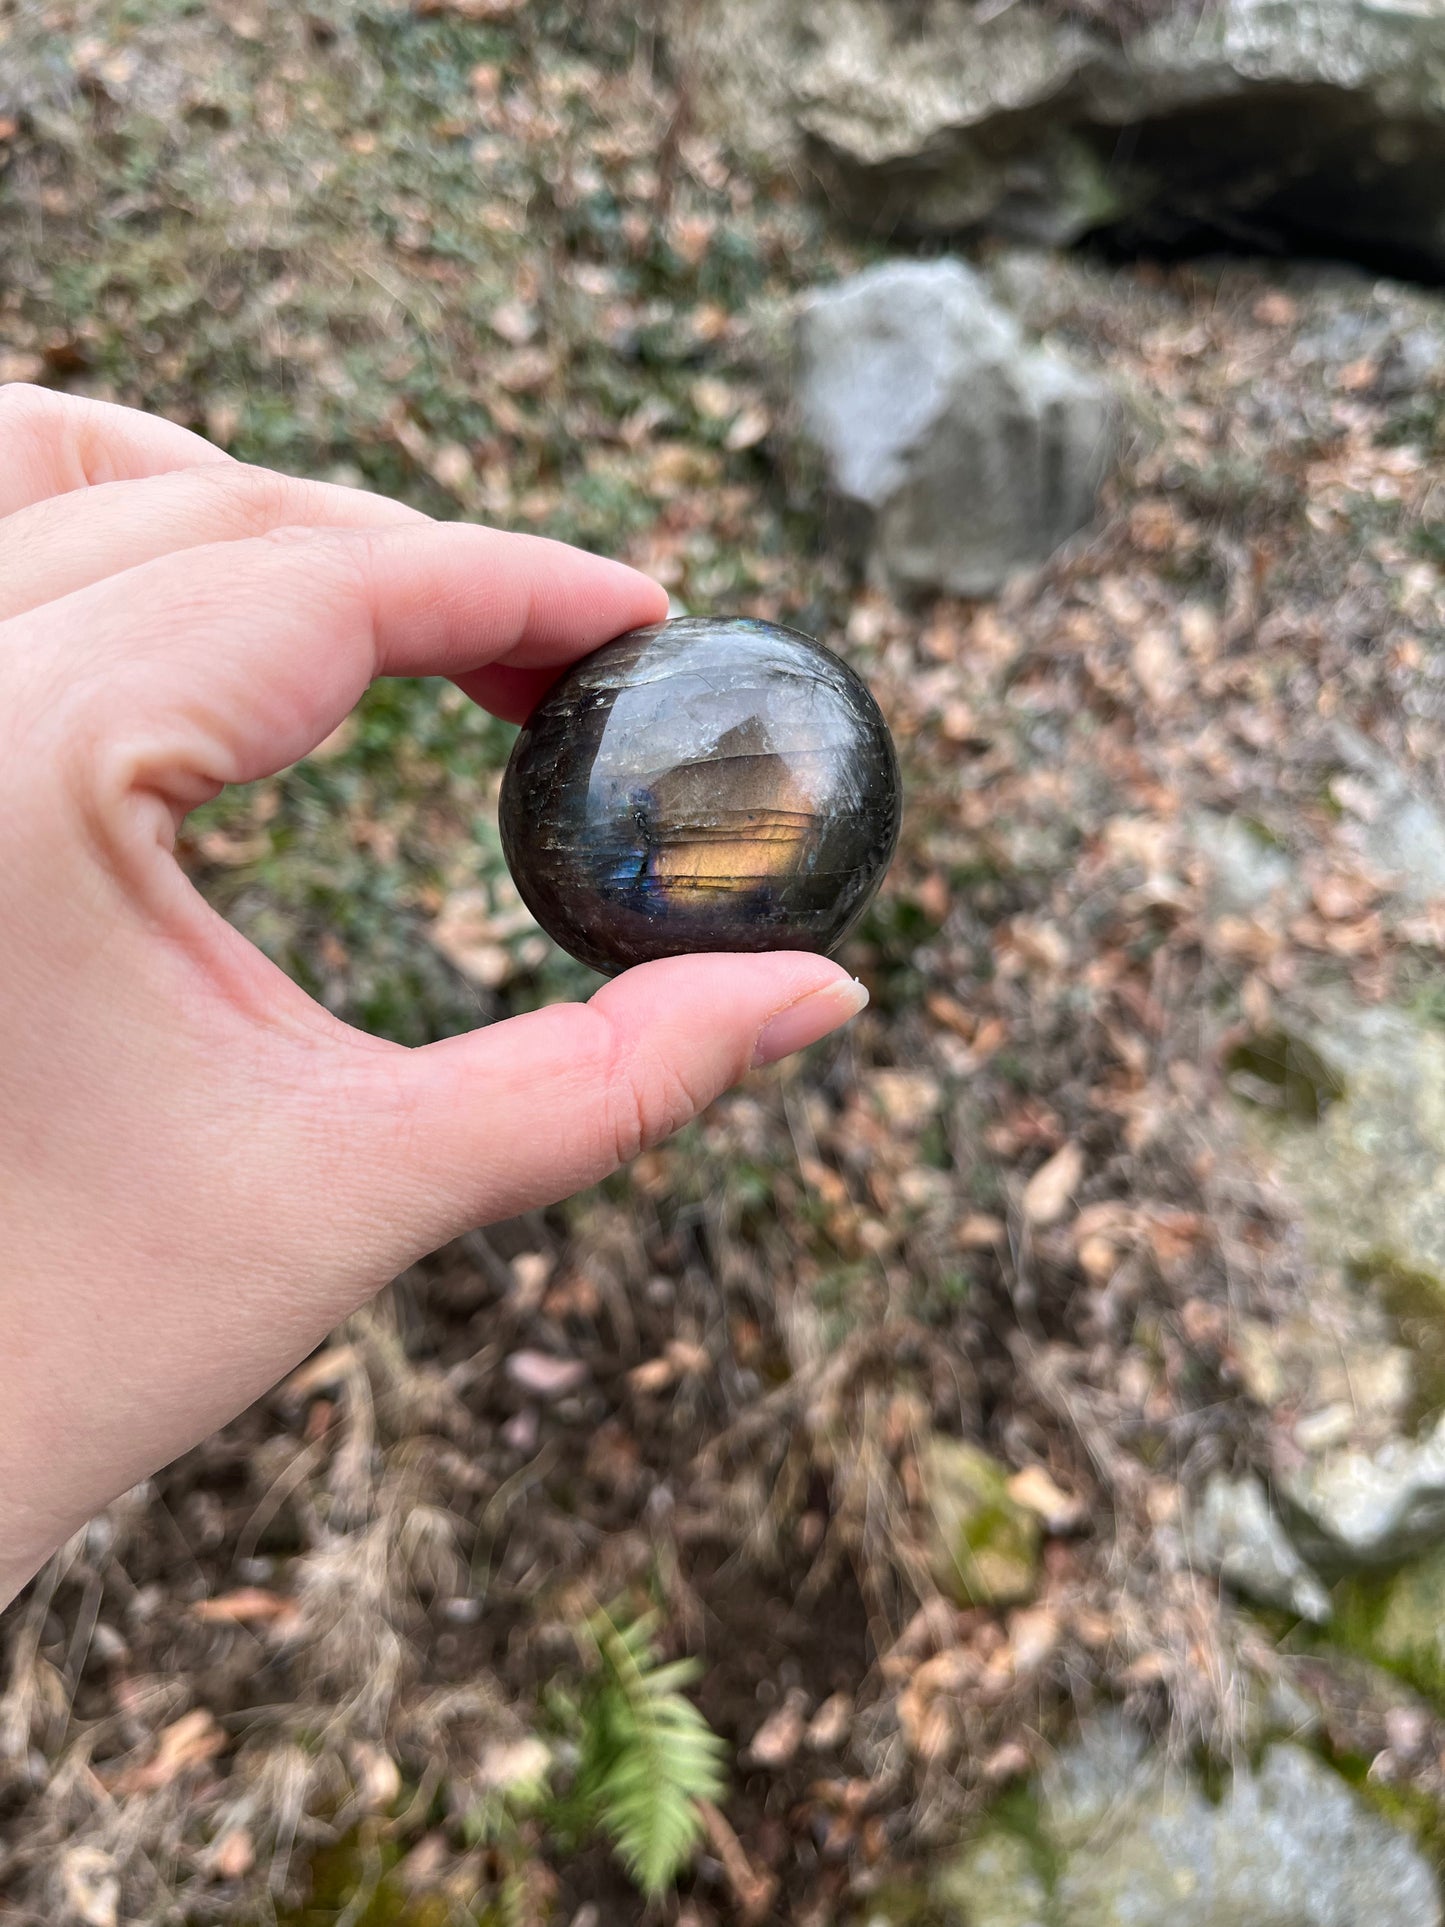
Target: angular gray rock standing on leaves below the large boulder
(960, 452)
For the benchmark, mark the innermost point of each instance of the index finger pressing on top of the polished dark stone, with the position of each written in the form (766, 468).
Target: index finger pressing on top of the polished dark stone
(230, 662)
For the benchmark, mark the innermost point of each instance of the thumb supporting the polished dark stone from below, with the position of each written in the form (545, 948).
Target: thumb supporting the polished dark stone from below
(539, 1107)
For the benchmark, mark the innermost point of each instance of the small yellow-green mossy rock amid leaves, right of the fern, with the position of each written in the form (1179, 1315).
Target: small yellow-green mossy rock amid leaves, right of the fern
(984, 1546)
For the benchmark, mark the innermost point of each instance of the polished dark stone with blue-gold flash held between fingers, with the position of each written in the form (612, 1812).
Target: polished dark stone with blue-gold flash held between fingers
(700, 785)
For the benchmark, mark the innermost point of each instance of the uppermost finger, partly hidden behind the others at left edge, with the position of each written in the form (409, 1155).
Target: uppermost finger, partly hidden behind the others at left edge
(53, 444)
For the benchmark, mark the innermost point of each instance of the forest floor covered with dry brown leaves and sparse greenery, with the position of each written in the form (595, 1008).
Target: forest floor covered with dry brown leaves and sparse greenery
(475, 255)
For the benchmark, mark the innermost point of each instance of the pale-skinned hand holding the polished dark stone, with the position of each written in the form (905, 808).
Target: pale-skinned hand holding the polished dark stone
(201, 1171)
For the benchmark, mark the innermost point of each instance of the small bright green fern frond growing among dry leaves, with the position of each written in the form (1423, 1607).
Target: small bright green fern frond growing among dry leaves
(648, 1755)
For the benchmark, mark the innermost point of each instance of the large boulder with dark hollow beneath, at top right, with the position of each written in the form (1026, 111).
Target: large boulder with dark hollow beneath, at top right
(1263, 122)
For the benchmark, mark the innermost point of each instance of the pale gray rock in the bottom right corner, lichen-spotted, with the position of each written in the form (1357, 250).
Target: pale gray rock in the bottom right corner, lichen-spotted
(1134, 1841)
